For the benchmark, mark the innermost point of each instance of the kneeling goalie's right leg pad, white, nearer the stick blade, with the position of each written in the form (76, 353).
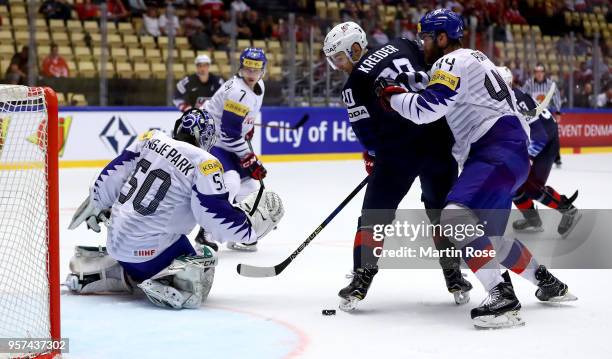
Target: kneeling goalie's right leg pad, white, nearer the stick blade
(186, 283)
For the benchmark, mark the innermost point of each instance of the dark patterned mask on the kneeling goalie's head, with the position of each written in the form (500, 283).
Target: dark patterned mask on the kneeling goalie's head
(196, 127)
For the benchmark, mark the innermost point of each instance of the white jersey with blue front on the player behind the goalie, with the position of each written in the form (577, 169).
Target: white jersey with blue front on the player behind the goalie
(234, 107)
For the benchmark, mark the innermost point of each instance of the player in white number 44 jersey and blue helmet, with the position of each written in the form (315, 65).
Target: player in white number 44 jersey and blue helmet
(491, 145)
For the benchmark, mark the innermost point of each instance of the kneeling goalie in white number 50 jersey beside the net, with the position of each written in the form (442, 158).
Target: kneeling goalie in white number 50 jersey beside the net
(151, 196)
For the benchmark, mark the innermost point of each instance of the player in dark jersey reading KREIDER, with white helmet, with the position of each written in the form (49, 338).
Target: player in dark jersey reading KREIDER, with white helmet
(397, 151)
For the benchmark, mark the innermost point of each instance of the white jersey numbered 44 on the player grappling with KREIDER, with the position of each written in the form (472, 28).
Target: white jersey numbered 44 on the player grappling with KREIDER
(465, 87)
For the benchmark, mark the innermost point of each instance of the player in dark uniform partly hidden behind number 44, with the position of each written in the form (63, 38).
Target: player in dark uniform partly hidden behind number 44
(543, 149)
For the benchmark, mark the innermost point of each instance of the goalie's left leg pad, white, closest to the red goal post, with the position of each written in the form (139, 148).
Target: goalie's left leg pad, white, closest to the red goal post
(94, 271)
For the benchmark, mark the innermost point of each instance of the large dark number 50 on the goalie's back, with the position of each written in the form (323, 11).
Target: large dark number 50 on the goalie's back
(143, 166)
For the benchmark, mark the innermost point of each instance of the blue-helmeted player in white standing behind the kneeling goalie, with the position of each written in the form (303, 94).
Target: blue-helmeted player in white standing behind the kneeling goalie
(234, 107)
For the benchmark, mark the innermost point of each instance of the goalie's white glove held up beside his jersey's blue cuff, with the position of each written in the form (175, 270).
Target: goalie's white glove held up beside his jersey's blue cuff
(268, 214)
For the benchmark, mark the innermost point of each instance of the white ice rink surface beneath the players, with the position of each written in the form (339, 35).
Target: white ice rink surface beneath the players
(407, 313)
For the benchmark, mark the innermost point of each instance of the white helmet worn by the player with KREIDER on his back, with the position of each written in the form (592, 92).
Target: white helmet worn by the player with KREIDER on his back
(341, 38)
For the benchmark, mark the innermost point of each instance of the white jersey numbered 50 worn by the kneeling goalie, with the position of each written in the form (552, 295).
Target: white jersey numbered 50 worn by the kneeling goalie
(159, 188)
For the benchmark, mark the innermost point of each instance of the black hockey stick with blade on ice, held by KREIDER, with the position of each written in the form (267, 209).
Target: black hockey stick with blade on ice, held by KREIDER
(260, 272)
